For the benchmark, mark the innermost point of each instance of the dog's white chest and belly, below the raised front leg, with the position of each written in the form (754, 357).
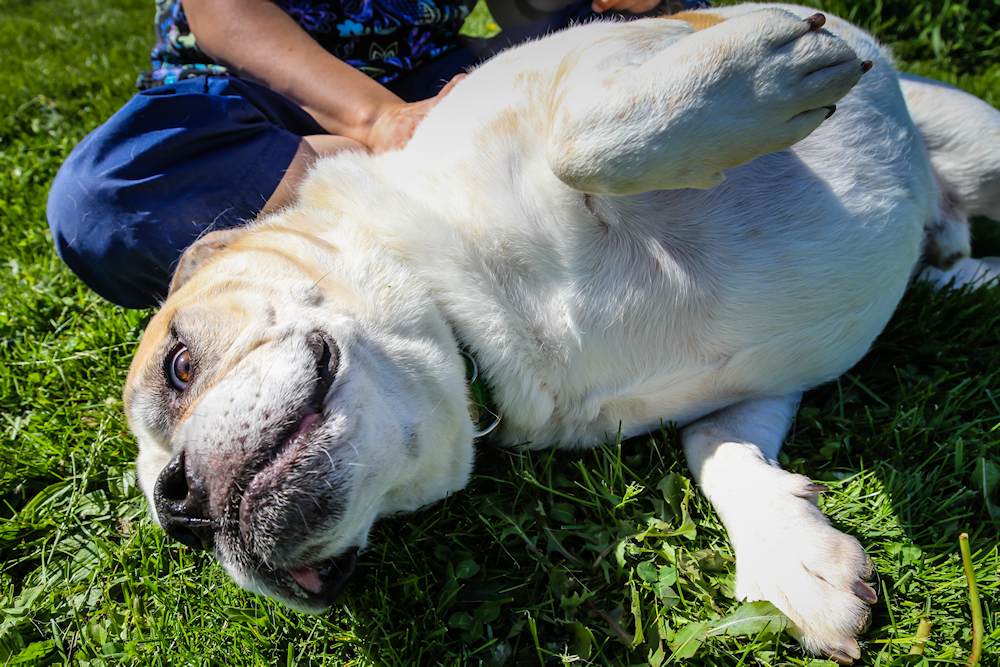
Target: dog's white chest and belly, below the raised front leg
(594, 313)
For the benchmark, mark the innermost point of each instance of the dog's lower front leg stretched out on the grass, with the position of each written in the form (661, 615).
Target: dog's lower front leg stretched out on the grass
(786, 551)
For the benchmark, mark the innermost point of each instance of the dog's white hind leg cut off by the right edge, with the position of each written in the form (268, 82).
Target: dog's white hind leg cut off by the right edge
(962, 135)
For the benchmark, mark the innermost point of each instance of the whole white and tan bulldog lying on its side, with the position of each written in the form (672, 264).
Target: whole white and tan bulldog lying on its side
(623, 224)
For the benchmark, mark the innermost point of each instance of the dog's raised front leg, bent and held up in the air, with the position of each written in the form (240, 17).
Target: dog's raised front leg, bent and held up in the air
(714, 99)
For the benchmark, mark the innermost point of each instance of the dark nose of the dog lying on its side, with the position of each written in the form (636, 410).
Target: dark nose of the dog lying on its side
(182, 504)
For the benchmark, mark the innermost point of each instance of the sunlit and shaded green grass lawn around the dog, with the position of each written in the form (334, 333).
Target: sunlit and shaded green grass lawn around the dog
(608, 557)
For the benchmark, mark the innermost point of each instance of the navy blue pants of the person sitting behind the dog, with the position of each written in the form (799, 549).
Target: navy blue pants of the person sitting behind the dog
(202, 154)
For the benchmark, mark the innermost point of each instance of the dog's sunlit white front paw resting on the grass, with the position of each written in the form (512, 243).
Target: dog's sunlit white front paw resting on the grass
(790, 556)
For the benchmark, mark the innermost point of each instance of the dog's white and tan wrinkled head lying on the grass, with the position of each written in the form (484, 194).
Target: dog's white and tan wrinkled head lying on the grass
(286, 395)
